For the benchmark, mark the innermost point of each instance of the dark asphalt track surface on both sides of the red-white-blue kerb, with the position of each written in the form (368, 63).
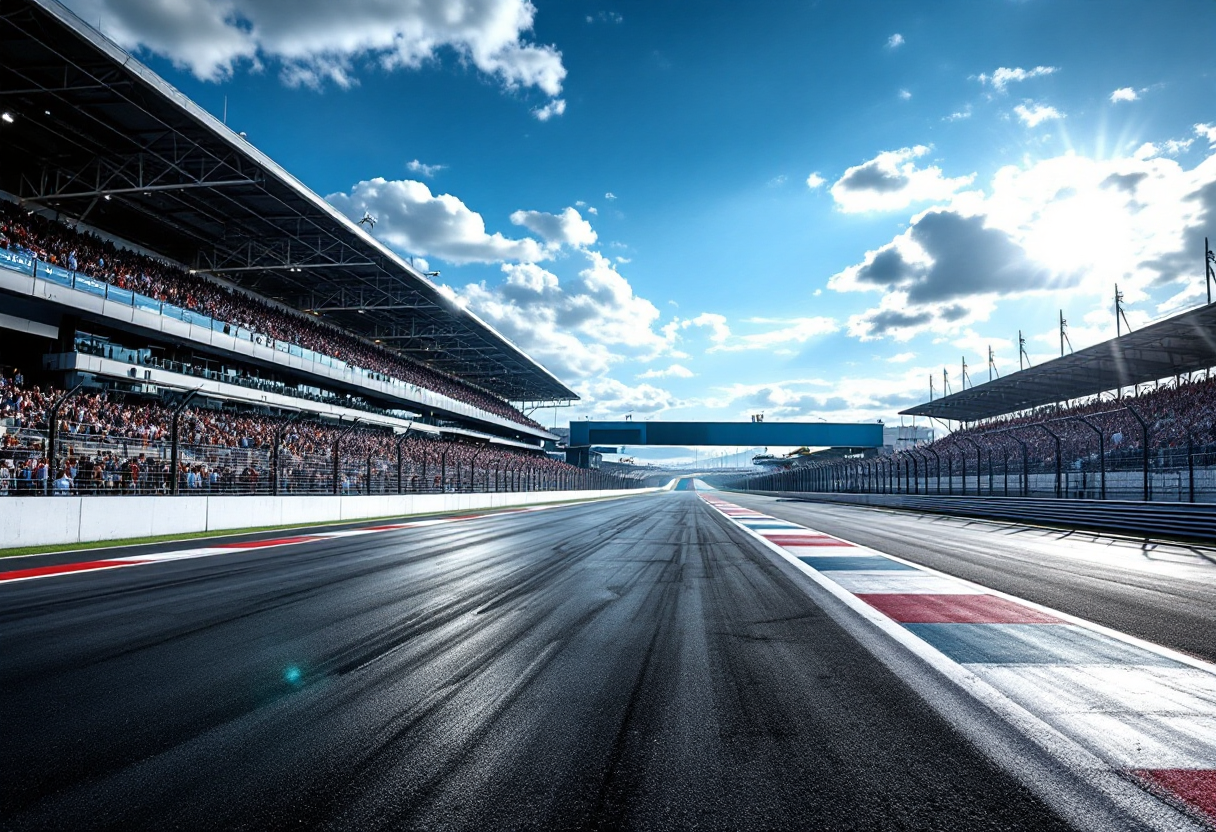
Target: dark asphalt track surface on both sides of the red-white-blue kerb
(638, 664)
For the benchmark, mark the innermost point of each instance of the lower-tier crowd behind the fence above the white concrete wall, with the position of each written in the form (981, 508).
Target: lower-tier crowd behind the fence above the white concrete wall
(116, 445)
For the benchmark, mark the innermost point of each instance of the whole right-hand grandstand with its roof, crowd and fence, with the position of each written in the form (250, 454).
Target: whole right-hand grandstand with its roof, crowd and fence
(1133, 418)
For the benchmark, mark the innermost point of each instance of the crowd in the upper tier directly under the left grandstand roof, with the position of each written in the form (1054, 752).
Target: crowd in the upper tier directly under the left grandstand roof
(89, 255)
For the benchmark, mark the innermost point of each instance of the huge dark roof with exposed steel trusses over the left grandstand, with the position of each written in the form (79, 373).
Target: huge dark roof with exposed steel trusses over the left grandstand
(102, 138)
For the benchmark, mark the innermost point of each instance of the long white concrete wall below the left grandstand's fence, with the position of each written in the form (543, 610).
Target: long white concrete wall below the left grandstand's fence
(47, 521)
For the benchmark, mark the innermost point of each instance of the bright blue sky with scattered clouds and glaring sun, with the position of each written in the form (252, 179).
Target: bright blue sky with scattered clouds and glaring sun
(711, 210)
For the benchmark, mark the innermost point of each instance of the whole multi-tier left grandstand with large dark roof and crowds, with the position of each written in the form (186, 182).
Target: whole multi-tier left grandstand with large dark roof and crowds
(156, 268)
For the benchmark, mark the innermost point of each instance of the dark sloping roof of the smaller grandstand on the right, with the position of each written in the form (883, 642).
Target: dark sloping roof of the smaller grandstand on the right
(1179, 345)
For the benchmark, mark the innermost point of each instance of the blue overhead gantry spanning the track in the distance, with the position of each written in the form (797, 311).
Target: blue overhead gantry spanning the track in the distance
(795, 435)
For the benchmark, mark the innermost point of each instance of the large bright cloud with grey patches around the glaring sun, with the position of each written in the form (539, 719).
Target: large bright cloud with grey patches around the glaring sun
(1060, 226)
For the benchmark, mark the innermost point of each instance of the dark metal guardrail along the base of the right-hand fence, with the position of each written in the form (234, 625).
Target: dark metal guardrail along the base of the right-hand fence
(1164, 520)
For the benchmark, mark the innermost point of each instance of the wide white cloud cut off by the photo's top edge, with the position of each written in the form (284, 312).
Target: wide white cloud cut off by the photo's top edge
(318, 42)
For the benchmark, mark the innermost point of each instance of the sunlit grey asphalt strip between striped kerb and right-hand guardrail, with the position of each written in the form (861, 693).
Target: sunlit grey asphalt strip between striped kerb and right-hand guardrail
(1174, 608)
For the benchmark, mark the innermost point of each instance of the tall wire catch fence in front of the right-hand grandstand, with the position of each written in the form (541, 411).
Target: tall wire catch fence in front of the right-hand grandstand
(1111, 456)
